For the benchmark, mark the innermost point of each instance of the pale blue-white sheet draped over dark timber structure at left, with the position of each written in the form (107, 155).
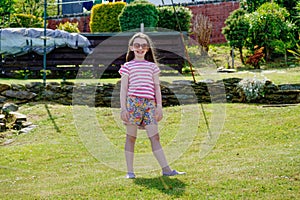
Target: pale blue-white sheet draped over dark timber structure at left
(19, 41)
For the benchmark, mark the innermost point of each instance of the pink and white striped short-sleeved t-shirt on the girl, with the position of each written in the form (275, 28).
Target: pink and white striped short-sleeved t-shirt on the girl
(140, 78)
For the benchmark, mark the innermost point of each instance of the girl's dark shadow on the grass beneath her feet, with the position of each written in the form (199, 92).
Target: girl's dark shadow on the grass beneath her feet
(170, 186)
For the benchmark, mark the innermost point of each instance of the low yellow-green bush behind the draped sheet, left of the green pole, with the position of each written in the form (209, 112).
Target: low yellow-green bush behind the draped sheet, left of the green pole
(27, 21)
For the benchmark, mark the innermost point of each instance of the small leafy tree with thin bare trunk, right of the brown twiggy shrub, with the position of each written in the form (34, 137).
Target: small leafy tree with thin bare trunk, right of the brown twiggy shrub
(236, 30)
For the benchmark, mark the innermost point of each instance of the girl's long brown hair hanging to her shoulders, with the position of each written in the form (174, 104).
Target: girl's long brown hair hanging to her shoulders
(149, 56)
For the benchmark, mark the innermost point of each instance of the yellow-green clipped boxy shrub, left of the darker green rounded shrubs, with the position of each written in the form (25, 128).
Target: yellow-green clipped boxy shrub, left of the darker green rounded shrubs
(104, 17)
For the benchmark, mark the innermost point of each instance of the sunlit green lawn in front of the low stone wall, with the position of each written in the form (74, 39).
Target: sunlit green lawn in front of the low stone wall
(256, 156)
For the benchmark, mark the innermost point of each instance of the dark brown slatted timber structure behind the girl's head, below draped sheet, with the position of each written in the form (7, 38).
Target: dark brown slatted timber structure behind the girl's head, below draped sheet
(108, 54)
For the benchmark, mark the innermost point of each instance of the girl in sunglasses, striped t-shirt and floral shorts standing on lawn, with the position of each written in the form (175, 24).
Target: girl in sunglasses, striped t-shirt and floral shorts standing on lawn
(140, 99)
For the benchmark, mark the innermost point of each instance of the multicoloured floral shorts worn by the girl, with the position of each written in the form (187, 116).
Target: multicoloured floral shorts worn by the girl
(141, 111)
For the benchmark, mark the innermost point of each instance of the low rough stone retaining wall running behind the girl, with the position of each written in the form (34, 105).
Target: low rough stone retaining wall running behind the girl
(178, 92)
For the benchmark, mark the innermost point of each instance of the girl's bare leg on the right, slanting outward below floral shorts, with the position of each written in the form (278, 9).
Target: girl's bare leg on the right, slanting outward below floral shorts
(152, 131)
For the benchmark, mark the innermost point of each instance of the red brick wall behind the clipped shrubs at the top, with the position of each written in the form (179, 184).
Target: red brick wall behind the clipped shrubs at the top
(217, 13)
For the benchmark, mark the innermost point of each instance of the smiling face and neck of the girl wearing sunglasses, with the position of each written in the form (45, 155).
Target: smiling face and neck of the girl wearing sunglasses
(140, 47)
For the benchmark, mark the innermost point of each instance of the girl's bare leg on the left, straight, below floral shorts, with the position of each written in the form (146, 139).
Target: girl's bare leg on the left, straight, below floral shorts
(129, 146)
